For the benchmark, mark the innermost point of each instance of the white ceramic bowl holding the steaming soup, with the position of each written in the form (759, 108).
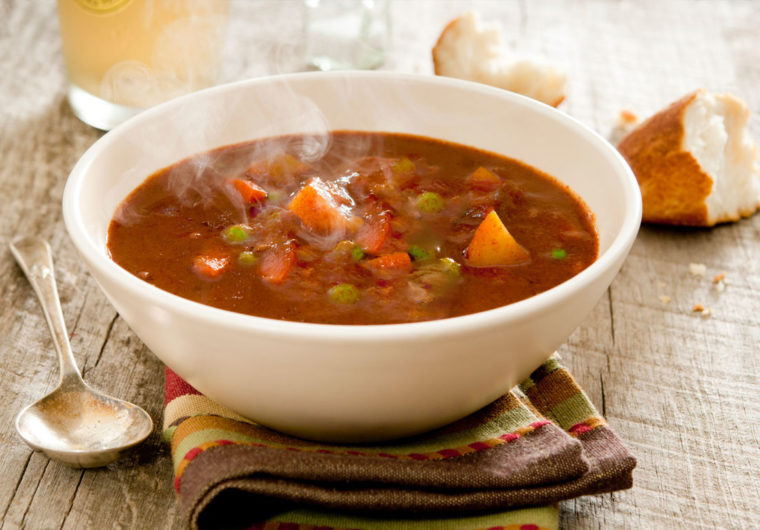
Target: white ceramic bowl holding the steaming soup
(352, 383)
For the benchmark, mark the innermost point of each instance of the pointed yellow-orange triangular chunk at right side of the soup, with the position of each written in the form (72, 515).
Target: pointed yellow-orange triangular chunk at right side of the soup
(493, 246)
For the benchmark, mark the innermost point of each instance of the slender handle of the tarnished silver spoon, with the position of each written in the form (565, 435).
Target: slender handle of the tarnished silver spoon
(34, 256)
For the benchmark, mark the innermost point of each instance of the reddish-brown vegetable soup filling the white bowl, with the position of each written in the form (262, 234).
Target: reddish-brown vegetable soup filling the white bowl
(179, 214)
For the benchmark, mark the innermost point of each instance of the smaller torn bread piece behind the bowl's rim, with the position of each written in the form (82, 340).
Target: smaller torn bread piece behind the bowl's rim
(472, 50)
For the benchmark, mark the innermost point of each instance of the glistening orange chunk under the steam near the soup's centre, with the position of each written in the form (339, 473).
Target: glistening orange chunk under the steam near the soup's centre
(318, 209)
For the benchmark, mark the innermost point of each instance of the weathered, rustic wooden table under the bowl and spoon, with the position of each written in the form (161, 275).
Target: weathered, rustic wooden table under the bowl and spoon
(682, 389)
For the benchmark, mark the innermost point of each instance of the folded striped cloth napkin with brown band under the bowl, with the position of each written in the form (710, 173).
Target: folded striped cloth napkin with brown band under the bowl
(503, 467)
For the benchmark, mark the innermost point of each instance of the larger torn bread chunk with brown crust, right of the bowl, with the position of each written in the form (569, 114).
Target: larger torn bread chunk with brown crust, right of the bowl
(694, 161)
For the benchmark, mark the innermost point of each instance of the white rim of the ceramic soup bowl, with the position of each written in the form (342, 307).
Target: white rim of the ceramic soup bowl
(514, 312)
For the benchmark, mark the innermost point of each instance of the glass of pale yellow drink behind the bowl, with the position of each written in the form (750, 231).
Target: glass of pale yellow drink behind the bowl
(138, 53)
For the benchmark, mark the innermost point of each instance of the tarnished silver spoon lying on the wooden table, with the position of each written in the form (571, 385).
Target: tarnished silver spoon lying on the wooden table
(75, 423)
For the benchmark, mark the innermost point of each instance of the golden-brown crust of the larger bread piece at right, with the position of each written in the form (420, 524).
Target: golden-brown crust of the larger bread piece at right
(673, 185)
